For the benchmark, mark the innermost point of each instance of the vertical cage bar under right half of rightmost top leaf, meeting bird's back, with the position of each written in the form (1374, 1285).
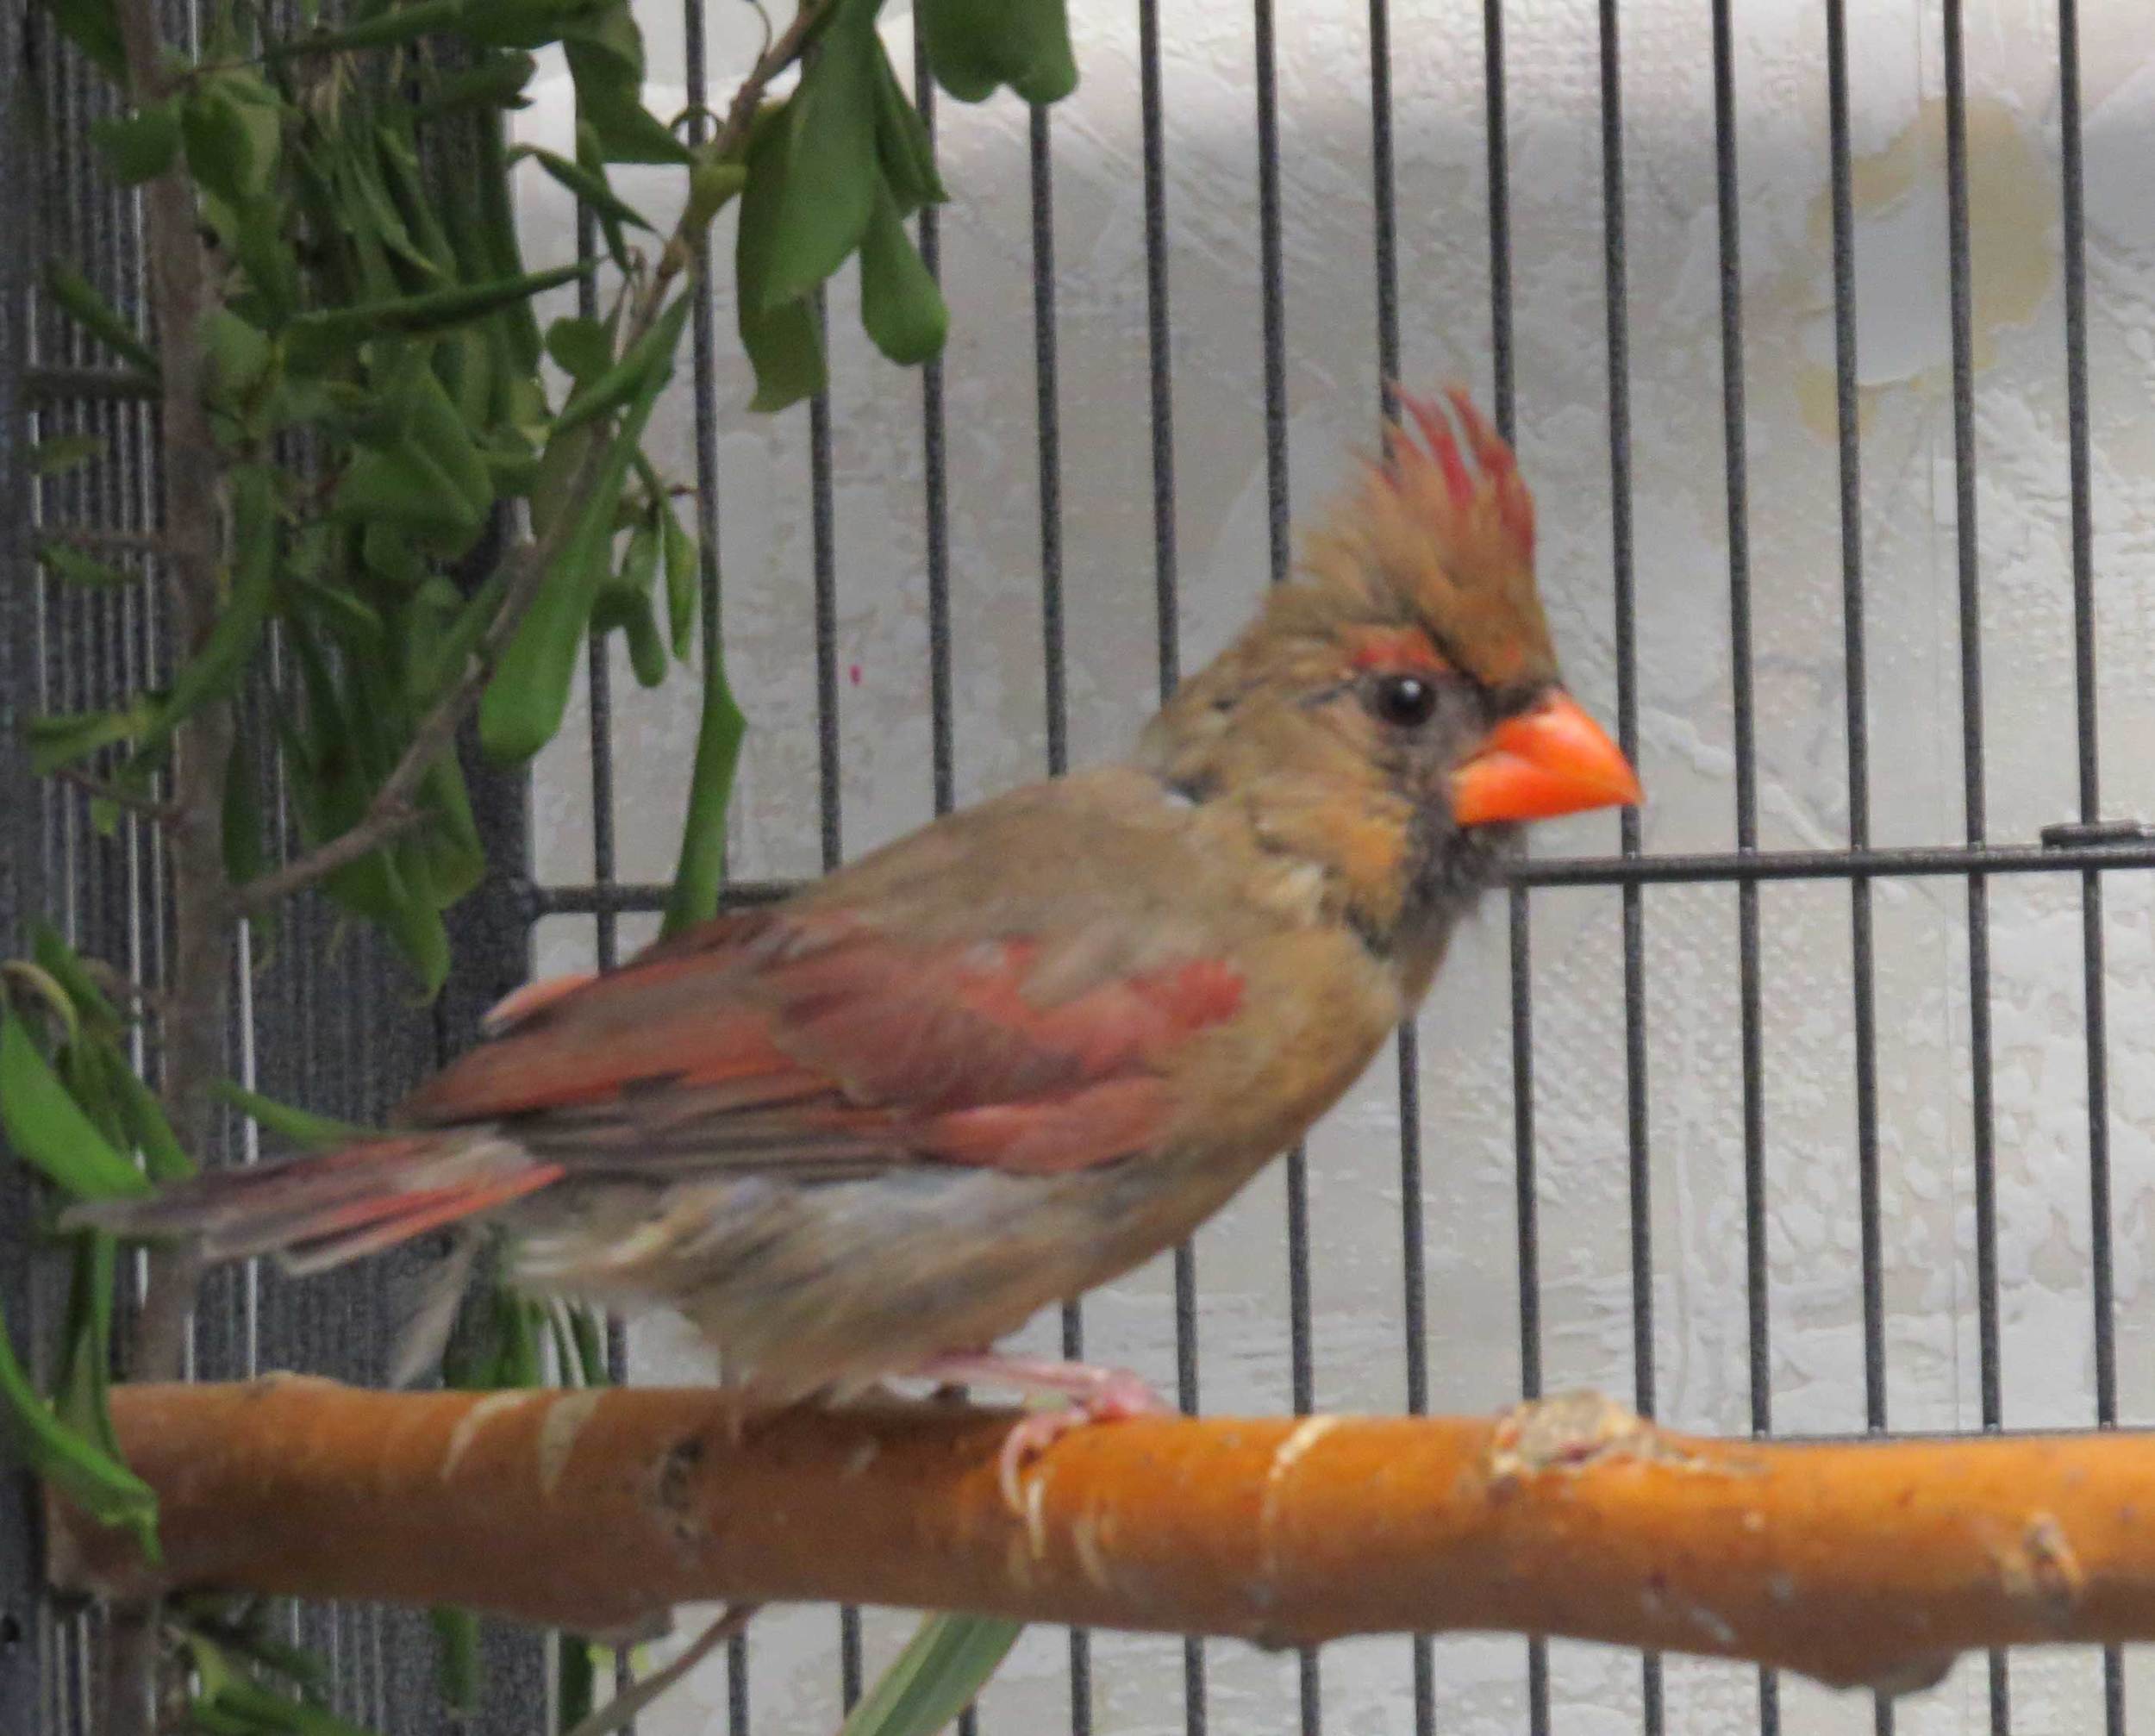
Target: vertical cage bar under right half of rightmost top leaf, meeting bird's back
(1055, 654)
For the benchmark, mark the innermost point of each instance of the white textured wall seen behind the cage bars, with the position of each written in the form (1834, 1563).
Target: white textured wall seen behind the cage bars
(1897, 85)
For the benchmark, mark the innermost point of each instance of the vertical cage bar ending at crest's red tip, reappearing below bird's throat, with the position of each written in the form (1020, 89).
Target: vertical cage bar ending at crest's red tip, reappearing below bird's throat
(1523, 975)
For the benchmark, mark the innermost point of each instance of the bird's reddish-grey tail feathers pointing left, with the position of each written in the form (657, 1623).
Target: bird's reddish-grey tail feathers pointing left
(322, 1212)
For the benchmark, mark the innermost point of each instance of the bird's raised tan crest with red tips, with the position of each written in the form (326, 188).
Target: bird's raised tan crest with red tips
(1443, 542)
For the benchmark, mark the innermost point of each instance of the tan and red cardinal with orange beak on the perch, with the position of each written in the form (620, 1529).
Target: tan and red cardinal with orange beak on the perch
(999, 1063)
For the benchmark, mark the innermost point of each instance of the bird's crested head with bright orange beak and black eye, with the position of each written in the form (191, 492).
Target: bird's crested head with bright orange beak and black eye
(1395, 712)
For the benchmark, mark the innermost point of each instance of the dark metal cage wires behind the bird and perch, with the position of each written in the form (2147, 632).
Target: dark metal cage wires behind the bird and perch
(94, 645)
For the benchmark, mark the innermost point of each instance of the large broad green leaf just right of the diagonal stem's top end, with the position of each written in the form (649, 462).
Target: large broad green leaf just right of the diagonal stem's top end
(829, 186)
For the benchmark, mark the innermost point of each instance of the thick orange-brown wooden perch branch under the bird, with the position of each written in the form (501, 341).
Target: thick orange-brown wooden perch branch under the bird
(1859, 1565)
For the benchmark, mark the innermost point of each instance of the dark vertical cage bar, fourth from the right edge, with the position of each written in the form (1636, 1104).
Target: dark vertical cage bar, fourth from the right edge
(1757, 1298)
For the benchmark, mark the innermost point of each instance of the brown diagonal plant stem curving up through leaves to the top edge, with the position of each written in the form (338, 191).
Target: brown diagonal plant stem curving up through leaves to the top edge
(393, 809)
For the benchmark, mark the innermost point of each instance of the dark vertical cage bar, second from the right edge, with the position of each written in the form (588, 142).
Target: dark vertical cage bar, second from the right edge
(1971, 608)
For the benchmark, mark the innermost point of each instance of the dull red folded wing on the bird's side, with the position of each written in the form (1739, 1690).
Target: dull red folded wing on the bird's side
(781, 1041)
